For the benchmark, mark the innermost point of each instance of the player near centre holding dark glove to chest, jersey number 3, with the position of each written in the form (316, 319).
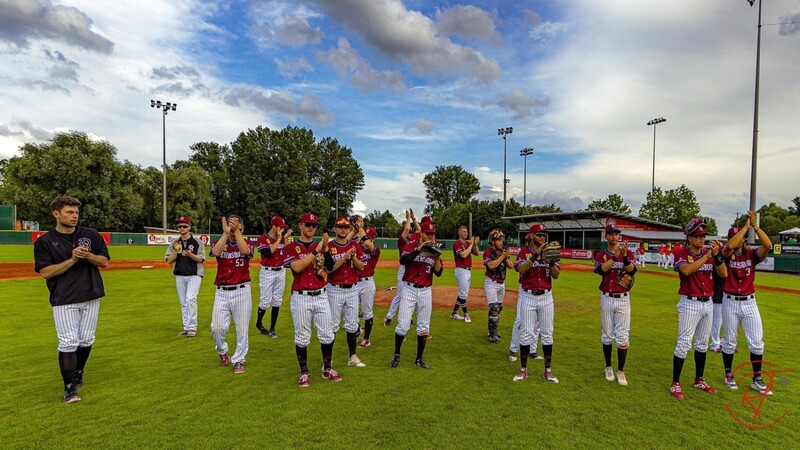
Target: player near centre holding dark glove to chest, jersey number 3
(418, 279)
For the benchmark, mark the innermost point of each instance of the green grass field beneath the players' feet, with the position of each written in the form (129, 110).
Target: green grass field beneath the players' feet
(145, 387)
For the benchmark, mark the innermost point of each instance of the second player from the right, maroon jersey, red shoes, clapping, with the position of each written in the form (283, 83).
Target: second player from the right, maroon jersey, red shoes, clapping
(694, 264)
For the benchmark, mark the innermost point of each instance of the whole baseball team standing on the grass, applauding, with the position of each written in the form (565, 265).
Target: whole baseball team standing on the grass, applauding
(333, 281)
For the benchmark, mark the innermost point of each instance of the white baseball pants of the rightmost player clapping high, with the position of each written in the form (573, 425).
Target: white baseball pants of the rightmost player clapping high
(745, 313)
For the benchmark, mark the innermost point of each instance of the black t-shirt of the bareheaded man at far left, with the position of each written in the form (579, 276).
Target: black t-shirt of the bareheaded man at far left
(82, 281)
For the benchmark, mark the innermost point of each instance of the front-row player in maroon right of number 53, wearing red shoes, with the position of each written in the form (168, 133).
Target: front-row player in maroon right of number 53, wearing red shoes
(309, 302)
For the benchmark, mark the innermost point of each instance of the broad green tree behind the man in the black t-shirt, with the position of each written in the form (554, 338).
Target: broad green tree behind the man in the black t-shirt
(73, 164)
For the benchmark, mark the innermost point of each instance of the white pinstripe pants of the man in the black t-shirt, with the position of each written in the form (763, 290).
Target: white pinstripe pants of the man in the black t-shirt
(76, 324)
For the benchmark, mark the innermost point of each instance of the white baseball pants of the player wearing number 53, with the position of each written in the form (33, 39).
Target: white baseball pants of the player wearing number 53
(236, 304)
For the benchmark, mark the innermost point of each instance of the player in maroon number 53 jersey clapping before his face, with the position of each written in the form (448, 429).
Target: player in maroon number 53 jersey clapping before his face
(233, 297)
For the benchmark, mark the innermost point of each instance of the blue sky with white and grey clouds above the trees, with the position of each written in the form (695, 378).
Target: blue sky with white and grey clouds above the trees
(411, 84)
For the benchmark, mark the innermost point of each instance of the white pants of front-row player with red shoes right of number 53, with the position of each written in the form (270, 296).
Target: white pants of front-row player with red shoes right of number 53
(308, 309)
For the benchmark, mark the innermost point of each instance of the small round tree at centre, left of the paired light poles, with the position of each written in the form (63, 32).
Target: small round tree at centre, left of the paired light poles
(448, 185)
